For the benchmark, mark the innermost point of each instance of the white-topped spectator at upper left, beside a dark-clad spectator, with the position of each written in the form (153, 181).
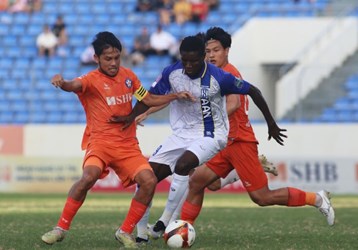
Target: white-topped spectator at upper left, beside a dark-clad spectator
(46, 42)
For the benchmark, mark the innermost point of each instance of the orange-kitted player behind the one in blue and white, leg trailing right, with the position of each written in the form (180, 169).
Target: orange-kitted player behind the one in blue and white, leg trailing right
(241, 154)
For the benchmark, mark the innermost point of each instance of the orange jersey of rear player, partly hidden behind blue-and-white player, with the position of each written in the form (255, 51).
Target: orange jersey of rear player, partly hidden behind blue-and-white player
(240, 126)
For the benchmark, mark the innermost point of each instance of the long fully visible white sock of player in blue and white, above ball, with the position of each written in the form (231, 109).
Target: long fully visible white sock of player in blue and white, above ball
(177, 189)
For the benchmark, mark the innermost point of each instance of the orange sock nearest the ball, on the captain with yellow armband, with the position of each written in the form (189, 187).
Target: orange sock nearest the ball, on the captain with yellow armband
(135, 213)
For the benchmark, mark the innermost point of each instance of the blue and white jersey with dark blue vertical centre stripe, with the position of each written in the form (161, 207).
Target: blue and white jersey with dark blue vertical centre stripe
(207, 116)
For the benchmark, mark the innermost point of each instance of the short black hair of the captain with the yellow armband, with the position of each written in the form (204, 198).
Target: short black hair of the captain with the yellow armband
(104, 40)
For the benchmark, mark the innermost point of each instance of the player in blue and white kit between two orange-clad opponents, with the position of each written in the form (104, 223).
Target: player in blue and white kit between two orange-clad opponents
(200, 129)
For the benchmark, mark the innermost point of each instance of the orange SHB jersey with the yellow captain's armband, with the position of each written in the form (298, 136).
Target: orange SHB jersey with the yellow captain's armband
(103, 96)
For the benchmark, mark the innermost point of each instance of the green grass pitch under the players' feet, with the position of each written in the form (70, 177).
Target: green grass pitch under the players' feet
(227, 221)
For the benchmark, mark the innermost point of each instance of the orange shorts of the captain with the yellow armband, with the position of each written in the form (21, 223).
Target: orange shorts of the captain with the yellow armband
(126, 160)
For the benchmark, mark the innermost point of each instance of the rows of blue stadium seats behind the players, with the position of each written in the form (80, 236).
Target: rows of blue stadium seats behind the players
(25, 91)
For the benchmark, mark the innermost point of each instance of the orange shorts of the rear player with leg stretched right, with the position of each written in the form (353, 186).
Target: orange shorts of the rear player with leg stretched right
(242, 156)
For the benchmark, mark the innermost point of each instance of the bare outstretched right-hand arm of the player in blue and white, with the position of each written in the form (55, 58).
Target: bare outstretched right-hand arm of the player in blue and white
(273, 129)
